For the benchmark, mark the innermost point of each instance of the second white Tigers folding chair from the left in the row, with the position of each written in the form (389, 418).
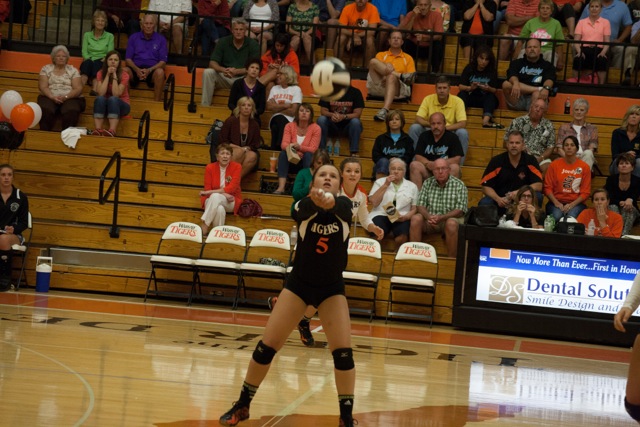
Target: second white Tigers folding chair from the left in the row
(221, 255)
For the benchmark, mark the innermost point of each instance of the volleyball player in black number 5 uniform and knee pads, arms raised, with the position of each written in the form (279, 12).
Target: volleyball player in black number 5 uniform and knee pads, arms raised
(323, 220)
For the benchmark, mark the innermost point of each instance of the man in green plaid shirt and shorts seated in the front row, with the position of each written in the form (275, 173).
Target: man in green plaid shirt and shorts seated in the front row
(442, 203)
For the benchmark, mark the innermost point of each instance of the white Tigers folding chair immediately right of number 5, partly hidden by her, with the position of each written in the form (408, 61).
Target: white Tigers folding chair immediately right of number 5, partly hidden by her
(363, 271)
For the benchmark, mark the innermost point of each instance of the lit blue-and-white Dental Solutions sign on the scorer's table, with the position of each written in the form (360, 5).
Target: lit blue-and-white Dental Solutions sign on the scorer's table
(514, 277)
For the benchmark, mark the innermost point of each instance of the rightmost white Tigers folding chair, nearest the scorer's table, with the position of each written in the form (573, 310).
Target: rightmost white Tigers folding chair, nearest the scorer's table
(418, 263)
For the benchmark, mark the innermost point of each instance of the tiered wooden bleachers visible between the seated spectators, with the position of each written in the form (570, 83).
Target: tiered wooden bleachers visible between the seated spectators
(62, 185)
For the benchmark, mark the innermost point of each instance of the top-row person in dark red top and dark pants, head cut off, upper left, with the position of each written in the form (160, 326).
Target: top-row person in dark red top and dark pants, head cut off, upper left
(215, 23)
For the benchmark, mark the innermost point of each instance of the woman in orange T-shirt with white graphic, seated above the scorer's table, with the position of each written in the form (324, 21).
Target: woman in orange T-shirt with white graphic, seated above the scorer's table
(567, 183)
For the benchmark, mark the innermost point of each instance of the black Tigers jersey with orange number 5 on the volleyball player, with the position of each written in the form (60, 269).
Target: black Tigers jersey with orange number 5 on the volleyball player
(323, 238)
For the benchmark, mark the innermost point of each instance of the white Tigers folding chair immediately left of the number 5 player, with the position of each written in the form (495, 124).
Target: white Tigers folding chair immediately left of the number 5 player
(266, 243)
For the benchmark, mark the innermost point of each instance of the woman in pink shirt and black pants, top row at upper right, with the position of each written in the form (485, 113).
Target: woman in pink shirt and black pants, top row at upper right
(596, 29)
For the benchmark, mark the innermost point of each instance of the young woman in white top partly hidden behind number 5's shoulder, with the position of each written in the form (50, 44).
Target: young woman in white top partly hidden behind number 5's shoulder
(351, 170)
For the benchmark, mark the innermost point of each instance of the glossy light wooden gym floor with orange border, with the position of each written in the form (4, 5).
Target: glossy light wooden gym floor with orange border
(73, 359)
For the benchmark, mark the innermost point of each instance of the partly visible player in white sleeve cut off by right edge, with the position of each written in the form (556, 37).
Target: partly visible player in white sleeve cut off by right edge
(632, 398)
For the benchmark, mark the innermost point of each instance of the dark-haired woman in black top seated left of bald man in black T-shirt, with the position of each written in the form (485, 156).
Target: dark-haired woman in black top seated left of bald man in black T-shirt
(393, 143)
